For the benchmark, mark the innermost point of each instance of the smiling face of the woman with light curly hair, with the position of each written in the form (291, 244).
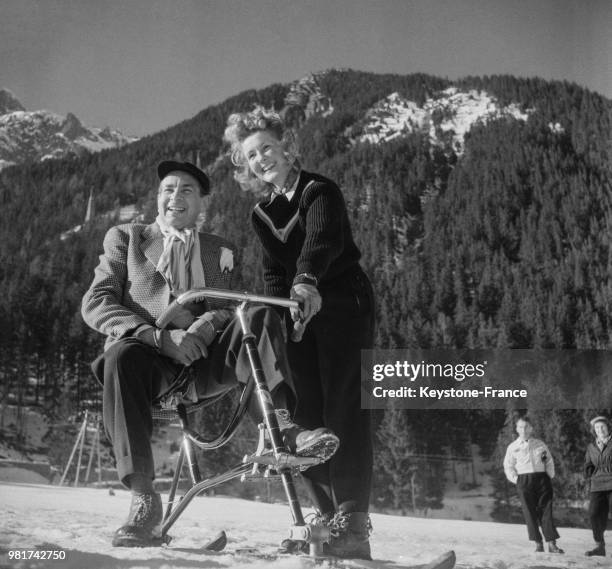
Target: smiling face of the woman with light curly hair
(266, 157)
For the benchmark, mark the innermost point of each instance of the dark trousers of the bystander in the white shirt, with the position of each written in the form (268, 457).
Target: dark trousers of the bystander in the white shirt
(536, 495)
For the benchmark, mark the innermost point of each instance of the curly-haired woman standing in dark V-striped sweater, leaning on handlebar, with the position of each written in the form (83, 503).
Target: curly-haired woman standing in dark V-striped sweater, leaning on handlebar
(309, 253)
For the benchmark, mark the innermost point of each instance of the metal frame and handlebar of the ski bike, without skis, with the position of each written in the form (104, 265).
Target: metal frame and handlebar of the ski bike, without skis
(279, 460)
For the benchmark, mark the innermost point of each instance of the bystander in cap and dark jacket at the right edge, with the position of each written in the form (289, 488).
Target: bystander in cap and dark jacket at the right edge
(598, 471)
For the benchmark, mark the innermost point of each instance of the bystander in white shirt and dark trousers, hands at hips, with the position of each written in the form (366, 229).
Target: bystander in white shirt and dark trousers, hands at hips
(529, 464)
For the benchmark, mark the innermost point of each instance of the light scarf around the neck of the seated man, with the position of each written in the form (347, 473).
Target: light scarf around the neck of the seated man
(180, 262)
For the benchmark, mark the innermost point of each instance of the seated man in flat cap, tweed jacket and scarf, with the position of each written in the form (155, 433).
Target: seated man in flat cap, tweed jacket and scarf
(143, 268)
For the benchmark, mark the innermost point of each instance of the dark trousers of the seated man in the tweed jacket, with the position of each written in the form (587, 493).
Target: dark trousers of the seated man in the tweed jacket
(135, 375)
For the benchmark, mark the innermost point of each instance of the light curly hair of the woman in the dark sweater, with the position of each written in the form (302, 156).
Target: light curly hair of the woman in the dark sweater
(242, 125)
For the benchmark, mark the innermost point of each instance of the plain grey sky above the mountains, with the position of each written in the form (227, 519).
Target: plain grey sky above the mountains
(144, 65)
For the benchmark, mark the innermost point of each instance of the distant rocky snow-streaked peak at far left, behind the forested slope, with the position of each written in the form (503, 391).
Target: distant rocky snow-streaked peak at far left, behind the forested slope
(41, 135)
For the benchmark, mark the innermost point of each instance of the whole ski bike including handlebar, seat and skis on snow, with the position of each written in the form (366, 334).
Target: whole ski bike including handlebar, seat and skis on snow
(271, 458)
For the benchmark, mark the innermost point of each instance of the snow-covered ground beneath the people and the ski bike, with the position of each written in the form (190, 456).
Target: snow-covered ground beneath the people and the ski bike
(80, 522)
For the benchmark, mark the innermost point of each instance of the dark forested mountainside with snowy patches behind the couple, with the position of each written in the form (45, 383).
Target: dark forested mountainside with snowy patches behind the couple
(481, 206)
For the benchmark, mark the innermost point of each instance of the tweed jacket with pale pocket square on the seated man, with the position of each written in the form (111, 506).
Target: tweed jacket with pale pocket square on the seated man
(128, 290)
